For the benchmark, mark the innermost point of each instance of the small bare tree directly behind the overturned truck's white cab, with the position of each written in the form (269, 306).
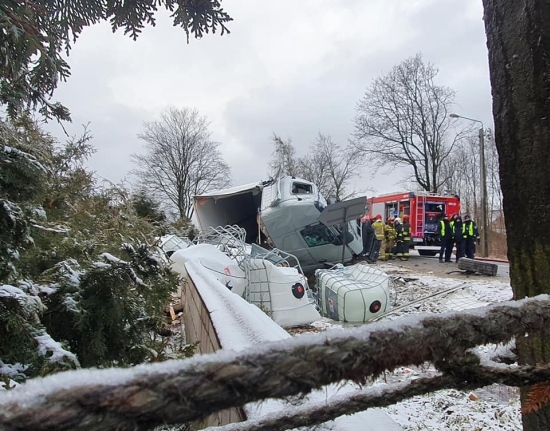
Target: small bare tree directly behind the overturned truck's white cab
(330, 166)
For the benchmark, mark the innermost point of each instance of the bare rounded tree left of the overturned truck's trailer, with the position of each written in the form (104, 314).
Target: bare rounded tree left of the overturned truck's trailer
(181, 160)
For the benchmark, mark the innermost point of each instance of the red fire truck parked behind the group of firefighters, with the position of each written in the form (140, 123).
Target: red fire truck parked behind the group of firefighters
(424, 210)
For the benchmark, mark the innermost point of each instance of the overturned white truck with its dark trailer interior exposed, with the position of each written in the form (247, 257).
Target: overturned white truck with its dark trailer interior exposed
(282, 213)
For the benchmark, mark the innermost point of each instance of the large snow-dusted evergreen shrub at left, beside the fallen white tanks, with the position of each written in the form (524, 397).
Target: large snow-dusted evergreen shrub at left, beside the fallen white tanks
(80, 283)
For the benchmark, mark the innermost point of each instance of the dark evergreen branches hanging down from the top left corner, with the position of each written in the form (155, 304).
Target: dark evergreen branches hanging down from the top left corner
(34, 34)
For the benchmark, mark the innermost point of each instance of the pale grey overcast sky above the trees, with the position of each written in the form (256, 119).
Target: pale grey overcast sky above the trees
(291, 67)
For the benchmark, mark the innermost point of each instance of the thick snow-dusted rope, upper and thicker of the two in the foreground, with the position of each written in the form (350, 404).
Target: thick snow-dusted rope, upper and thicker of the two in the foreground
(181, 391)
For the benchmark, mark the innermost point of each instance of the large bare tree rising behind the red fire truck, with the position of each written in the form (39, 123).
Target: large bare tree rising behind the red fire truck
(402, 120)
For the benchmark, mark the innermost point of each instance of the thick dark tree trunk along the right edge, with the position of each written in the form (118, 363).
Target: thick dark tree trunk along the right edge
(518, 38)
